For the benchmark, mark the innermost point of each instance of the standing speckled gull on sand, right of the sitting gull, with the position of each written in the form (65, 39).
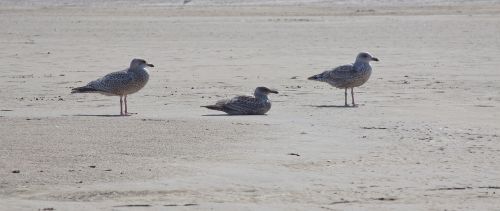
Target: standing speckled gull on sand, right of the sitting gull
(348, 76)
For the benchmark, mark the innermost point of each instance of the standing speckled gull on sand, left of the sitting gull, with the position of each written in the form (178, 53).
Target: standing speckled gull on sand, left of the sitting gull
(120, 83)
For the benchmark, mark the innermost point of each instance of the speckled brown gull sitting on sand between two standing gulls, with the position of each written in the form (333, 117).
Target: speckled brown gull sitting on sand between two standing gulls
(246, 105)
